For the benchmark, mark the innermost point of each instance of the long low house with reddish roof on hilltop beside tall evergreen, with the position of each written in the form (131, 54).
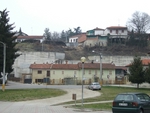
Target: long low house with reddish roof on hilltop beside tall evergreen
(24, 38)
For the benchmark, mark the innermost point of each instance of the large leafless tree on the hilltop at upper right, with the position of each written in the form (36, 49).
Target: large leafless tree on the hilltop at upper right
(140, 22)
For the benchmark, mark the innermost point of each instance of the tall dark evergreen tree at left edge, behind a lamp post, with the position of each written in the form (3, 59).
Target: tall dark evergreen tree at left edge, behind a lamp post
(7, 37)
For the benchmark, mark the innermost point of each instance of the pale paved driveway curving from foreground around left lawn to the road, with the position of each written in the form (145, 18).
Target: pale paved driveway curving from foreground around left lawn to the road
(47, 105)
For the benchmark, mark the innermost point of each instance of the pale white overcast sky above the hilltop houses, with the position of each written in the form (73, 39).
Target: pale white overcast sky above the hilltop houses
(33, 16)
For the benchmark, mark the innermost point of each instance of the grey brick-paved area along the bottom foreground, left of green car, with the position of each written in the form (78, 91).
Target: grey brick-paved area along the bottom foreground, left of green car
(23, 107)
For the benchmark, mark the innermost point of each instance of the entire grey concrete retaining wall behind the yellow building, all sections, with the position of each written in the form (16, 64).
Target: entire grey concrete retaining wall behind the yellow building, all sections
(22, 63)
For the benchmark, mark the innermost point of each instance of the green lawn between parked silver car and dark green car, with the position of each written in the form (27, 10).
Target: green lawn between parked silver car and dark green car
(107, 93)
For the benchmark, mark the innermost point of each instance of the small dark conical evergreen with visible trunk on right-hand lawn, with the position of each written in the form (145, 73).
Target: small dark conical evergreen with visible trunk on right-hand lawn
(136, 71)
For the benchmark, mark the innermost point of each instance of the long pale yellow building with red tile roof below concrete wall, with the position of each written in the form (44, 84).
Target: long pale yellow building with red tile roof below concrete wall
(72, 73)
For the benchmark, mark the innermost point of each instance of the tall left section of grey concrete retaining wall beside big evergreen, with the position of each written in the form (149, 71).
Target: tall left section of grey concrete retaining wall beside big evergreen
(22, 63)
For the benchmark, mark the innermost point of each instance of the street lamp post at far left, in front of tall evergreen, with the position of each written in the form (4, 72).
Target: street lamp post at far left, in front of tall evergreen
(4, 61)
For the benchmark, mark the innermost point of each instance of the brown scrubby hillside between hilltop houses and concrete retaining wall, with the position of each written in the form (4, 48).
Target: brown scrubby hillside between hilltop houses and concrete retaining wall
(77, 53)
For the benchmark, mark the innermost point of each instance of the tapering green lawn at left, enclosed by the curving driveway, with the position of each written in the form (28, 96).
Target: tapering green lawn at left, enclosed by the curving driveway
(29, 94)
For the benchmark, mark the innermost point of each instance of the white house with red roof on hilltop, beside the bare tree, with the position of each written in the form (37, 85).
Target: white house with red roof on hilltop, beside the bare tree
(117, 34)
